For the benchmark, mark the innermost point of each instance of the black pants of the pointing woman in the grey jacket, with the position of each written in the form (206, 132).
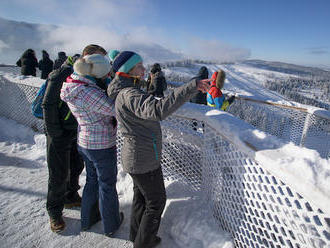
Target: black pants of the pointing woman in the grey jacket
(148, 205)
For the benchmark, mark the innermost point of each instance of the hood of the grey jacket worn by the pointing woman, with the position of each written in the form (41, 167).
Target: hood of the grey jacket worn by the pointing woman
(121, 81)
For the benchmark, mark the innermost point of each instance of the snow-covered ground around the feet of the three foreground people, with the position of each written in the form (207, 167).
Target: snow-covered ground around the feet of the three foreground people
(25, 223)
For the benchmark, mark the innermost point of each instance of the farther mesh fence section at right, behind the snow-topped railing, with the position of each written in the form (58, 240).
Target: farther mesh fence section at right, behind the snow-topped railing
(301, 128)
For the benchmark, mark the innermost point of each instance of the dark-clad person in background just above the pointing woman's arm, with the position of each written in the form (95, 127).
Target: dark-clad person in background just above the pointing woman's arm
(156, 84)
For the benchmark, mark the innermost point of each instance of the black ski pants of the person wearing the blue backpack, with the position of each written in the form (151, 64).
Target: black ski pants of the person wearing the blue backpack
(64, 167)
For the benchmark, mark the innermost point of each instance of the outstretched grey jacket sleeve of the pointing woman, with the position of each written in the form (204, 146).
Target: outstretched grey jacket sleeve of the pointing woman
(145, 106)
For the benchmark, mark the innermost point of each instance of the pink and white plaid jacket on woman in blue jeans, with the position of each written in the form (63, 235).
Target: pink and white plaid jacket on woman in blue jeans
(94, 111)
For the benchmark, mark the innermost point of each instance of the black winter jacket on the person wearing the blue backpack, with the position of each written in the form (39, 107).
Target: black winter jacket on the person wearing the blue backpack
(57, 115)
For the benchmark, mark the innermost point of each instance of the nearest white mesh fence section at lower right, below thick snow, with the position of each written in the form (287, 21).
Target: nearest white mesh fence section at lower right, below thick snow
(255, 206)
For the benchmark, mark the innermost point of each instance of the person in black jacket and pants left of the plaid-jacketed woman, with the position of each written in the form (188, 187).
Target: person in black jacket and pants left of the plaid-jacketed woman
(64, 162)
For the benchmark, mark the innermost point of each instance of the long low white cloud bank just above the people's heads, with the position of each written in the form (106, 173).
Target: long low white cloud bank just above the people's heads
(150, 44)
